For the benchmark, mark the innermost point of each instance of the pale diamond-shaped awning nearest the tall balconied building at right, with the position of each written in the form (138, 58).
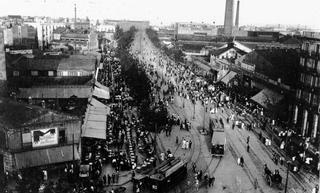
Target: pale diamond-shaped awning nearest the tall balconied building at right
(267, 98)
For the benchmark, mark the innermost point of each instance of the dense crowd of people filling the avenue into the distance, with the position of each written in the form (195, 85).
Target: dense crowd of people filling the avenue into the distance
(181, 80)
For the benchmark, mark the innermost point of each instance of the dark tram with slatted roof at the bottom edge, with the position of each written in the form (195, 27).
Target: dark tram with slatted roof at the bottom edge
(167, 175)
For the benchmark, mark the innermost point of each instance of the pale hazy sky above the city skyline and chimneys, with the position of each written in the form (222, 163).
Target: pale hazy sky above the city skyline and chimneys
(302, 12)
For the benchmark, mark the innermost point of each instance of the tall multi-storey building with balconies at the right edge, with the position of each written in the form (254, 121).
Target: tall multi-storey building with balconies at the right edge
(306, 109)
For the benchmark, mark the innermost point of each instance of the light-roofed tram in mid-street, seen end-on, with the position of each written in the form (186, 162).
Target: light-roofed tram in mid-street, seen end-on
(218, 142)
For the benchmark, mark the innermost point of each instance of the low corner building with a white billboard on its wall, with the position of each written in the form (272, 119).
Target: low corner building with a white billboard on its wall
(35, 137)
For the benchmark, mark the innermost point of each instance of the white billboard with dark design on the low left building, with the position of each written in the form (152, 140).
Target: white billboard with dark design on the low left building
(44, 137)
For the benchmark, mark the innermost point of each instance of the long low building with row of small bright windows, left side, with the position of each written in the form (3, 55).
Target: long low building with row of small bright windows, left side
(50, 70)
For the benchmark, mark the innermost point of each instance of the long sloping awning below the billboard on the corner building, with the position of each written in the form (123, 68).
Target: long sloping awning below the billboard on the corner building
(47, 156)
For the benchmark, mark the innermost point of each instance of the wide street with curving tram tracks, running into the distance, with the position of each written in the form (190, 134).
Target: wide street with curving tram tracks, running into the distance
(230, 177)
